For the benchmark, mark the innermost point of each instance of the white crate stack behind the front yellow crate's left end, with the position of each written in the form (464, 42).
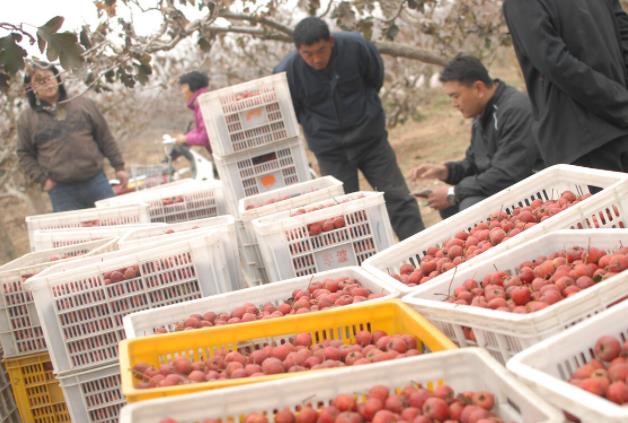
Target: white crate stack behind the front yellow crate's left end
(80, 306)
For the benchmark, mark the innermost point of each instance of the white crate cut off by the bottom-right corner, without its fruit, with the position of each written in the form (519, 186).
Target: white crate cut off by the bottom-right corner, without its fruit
(548, 365)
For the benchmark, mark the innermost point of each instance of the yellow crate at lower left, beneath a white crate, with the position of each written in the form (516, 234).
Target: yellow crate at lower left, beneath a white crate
(37, 393)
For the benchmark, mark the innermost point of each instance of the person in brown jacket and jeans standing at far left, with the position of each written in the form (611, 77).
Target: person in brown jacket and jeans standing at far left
(62, 143)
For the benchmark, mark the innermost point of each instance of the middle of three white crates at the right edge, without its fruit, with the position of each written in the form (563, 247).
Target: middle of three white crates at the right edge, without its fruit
(503, 333)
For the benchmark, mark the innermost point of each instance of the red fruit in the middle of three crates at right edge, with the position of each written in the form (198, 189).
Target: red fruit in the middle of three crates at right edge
(541, 282)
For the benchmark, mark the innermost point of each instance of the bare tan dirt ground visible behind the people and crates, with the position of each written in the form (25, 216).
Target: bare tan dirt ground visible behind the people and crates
(441, 135)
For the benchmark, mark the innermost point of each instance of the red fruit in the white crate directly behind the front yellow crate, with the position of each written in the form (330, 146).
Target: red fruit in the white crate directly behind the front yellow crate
(318, 295)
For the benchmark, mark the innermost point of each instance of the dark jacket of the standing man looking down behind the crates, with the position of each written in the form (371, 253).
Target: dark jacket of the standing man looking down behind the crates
(339, 107)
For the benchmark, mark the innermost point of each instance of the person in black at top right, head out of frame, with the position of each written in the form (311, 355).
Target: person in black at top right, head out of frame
(573, 55)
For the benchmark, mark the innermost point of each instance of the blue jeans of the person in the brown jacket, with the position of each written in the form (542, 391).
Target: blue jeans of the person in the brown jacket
(80, 195)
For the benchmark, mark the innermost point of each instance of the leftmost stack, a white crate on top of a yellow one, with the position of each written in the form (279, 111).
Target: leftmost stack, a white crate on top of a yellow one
(38, 396)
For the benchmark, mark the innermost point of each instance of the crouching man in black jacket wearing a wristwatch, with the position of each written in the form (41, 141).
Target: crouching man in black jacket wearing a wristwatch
(502, 149)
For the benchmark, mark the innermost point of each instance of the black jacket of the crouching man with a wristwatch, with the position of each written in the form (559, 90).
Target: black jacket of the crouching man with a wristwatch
(502, 149)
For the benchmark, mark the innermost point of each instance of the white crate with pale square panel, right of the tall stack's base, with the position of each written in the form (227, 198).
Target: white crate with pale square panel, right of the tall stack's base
(289, 250)
